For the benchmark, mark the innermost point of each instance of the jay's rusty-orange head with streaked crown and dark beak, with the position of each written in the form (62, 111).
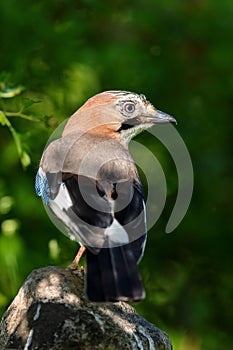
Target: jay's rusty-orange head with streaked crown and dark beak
(118, 114)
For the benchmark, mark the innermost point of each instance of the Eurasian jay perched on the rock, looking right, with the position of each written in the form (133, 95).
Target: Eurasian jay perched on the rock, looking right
(90, 186)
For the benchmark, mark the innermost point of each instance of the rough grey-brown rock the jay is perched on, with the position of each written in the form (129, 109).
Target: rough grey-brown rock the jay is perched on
(51, 312)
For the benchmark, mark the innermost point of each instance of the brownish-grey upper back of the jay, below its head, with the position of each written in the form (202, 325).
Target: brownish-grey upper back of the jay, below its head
(88, 155)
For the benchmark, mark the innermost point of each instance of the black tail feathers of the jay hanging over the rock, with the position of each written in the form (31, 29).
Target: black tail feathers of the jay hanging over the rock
(113, 275)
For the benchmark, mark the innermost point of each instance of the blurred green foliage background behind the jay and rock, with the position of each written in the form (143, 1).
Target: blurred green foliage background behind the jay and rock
(179, 54)
